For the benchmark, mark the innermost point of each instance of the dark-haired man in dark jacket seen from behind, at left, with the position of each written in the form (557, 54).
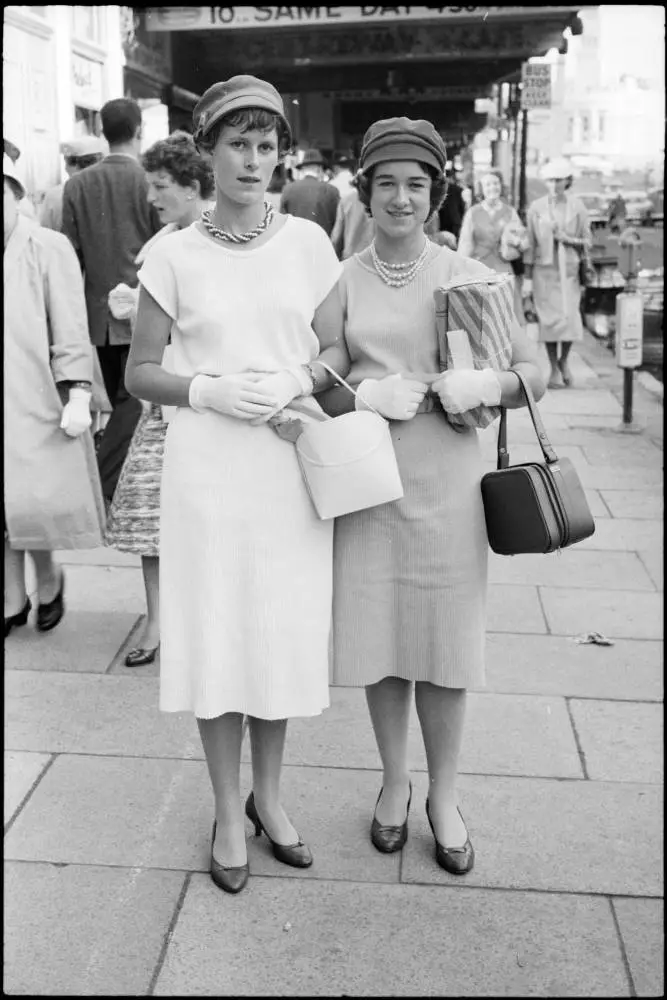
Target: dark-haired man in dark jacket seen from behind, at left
(107, 217)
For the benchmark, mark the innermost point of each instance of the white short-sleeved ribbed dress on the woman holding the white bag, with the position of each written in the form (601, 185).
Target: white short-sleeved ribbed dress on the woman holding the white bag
(245, 564)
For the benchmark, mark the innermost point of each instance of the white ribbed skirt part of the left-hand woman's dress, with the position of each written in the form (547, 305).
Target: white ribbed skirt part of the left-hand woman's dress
(245, 574)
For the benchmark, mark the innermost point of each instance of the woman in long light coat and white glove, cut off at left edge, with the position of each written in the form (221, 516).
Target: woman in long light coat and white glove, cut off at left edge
(53, 498)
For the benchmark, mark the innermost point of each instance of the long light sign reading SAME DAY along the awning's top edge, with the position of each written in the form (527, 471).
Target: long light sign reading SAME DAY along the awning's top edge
(195, 18)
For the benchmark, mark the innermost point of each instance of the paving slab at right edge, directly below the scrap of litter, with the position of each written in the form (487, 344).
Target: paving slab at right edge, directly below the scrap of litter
(548, 664)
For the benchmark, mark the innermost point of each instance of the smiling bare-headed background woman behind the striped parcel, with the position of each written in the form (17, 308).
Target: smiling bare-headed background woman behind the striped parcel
(492, 233)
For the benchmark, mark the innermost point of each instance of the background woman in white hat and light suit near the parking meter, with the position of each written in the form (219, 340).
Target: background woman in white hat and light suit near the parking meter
(559, 237)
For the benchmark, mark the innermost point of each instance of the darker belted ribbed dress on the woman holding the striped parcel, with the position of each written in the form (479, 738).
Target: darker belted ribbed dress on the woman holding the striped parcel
(410, 576)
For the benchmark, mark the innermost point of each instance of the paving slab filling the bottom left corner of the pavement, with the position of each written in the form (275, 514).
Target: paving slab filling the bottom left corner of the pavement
(84, 931)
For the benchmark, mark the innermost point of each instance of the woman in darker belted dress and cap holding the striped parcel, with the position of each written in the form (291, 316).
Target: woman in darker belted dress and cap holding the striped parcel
(410, 577)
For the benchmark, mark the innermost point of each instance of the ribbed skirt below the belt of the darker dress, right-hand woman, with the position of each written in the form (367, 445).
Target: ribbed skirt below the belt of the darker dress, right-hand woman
(410, 577)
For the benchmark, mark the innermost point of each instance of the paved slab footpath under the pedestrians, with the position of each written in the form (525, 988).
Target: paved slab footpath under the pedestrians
(108, 807)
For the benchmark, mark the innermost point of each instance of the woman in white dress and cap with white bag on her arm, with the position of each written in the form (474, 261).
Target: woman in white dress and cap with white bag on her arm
(248, 298)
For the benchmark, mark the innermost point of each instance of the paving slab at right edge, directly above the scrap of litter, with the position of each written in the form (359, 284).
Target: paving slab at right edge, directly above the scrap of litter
(621, 614)
